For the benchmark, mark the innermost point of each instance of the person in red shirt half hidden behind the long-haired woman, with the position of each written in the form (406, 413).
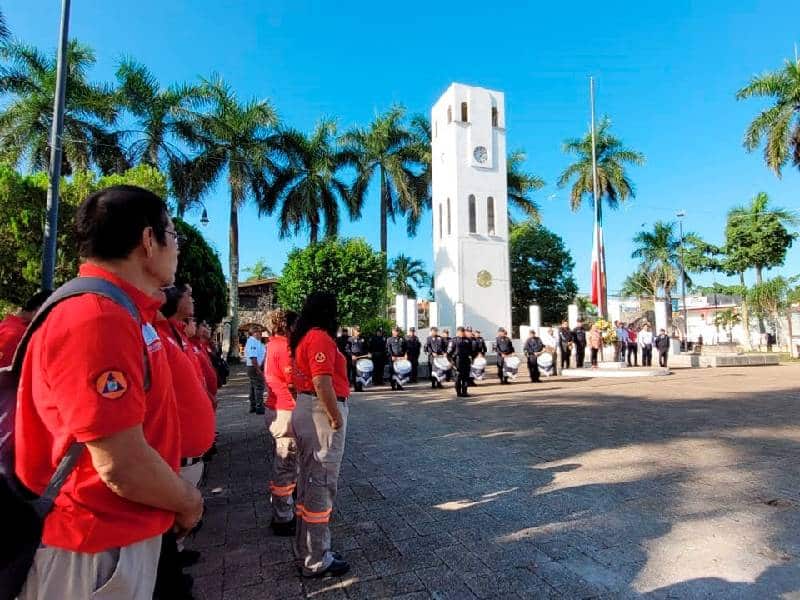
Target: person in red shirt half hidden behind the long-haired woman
(280, 404)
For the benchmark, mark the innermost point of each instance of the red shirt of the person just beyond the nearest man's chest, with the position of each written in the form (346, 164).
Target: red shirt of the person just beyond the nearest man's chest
(195, 412)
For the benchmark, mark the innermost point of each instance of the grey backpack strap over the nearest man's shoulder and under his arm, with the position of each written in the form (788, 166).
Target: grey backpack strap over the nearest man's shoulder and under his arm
(75, 287)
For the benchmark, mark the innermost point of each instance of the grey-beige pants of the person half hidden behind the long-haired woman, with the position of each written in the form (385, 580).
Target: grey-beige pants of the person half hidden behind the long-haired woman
(284, 465)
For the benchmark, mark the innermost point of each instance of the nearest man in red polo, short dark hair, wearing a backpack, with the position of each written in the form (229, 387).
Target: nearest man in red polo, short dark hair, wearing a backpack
(83, 379)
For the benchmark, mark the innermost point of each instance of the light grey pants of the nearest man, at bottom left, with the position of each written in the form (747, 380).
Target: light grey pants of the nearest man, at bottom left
(127, 573)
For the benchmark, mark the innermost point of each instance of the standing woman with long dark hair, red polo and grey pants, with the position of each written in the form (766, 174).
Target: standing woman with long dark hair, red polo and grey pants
(320, 425)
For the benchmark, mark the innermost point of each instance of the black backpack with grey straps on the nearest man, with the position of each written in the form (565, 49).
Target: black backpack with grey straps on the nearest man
(23, 514)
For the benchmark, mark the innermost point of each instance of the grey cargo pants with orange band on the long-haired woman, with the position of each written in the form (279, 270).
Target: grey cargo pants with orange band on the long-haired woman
(320, 451)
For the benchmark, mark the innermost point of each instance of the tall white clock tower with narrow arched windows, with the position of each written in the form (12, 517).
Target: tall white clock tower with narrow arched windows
(470, 216)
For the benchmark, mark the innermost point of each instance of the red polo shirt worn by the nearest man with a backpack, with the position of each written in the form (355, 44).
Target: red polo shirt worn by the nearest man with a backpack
(83, 379)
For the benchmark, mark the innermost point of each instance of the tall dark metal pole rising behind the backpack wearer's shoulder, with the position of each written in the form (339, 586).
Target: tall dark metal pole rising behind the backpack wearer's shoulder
(51, 225)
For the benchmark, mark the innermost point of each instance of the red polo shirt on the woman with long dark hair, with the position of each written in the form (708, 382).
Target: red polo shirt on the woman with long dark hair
(317, 354)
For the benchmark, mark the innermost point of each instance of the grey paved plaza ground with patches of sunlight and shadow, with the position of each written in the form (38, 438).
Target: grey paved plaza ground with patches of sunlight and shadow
(685, 486)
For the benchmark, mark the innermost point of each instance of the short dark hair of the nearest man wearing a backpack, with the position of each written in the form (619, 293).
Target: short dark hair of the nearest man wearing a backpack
(110, 222)
